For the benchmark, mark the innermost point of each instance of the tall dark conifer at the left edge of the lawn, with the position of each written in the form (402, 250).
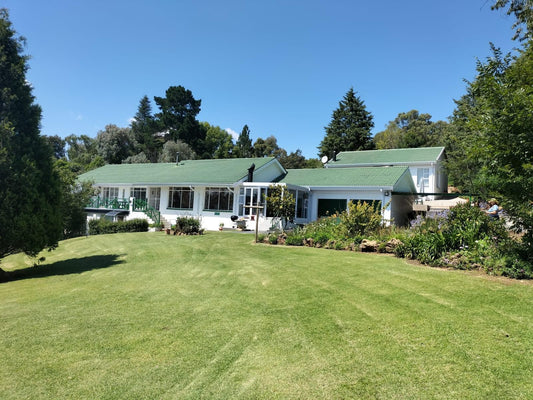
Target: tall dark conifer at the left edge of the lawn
(30, 219)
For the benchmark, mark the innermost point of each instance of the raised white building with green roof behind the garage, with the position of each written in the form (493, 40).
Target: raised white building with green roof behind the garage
(424, 163)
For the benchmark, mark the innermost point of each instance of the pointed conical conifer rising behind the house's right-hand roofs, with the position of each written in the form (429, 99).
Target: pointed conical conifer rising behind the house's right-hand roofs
(349, 128)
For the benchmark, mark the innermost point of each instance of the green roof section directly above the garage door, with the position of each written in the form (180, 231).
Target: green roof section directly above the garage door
(345, 177)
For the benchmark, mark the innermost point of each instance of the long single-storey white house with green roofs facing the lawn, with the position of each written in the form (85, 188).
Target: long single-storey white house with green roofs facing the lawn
(214, 191)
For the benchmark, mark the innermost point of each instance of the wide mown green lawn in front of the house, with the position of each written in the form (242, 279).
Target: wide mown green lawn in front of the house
(144, 316)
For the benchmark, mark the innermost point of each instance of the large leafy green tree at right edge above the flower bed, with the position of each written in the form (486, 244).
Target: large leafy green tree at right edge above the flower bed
(494, 121)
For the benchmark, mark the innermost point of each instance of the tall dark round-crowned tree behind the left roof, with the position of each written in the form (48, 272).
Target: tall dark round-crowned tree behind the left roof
(178, 114)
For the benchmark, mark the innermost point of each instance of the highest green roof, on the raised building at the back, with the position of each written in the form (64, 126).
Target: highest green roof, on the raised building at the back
(387, 157)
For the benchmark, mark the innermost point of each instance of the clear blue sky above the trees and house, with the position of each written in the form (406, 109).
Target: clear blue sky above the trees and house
(281, 67)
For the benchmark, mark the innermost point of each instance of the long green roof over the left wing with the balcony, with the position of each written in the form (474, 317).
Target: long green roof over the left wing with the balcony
(218, 172)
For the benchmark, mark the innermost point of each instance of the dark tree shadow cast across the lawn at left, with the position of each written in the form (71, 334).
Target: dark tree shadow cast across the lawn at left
(66, 267)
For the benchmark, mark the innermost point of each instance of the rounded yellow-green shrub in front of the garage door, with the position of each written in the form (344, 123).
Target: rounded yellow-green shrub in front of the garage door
(361, 218)
